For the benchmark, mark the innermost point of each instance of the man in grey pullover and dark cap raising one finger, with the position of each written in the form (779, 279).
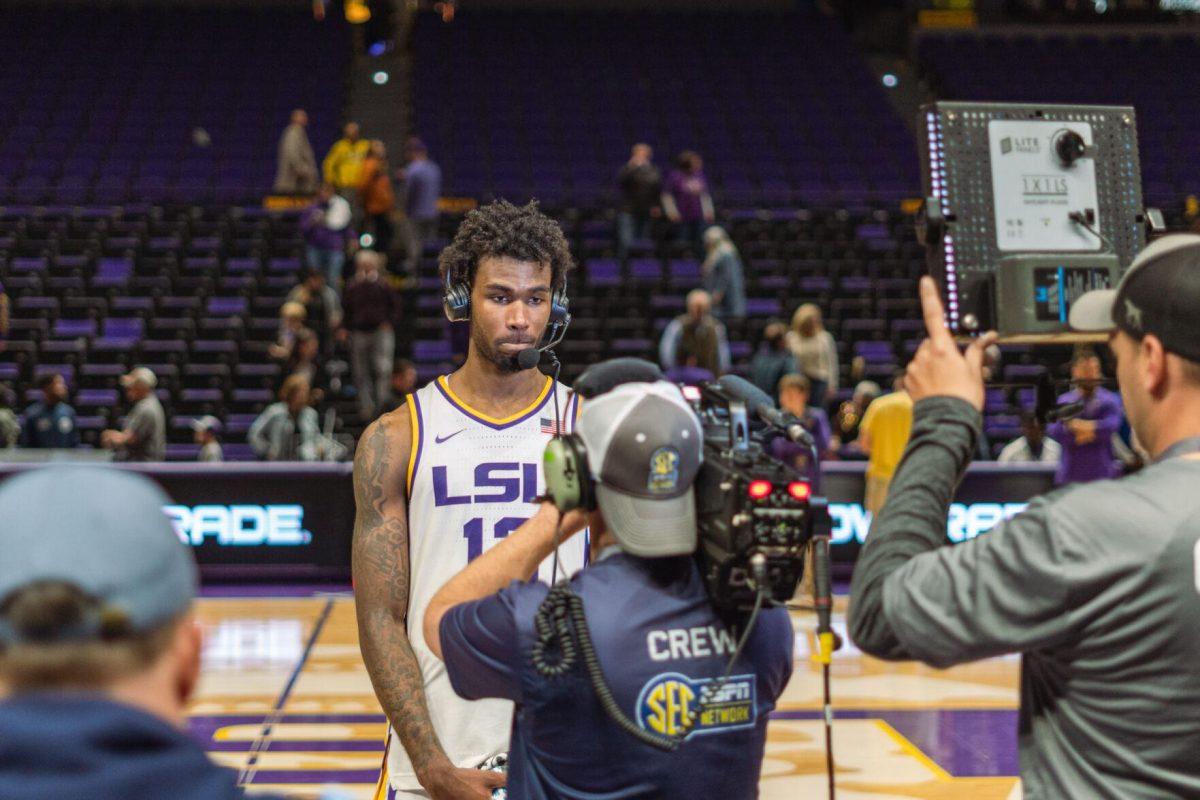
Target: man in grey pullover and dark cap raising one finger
(1096, 585)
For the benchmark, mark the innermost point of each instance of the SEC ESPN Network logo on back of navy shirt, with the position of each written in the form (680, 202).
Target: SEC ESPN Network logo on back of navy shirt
(668, 701)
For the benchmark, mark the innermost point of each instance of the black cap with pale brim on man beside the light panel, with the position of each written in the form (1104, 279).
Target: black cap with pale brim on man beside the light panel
(1159, 294)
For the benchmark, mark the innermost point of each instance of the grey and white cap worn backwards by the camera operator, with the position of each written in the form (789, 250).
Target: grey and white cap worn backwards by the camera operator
(645, 448)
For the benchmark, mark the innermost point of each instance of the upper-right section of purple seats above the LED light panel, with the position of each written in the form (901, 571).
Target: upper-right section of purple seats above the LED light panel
(1154, 73)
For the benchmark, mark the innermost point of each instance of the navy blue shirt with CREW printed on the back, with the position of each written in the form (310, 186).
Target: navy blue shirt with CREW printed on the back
(659, 642)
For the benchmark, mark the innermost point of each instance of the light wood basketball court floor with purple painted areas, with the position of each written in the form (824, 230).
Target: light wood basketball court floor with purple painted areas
(286, 701)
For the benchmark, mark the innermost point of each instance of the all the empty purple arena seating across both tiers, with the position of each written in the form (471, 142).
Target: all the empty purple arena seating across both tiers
(125, 243)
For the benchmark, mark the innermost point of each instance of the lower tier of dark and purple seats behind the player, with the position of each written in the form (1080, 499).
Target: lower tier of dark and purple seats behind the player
(194, 293)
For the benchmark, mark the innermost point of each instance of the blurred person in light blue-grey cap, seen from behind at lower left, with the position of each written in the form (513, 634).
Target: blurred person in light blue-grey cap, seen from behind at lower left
(100, 651)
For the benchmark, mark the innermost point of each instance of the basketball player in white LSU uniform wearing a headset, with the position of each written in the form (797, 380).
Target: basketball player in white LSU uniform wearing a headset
(445, 478)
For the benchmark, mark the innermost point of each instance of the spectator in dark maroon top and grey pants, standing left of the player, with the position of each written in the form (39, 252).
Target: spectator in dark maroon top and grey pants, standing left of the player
(373, 312)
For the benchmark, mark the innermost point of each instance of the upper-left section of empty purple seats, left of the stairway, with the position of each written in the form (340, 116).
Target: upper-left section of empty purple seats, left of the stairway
(103, 105)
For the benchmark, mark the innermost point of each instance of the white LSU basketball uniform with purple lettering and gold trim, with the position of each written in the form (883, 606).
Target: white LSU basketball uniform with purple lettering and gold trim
(471, 483)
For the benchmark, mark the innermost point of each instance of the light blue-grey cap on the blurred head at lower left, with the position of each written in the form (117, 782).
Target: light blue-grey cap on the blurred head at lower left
(103, 531)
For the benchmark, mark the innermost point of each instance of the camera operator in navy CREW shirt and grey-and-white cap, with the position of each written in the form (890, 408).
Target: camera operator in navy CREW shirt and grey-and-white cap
(658, 639)
